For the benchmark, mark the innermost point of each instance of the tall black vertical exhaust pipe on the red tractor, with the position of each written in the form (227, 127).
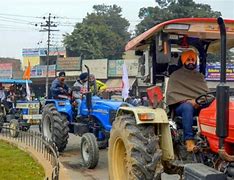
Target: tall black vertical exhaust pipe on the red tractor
(222, 92)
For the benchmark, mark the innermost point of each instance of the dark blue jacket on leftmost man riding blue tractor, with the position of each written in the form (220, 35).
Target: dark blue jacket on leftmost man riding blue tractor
(56, 88)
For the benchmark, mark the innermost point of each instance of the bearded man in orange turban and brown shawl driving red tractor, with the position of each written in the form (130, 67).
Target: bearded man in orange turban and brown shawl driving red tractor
(184, 86)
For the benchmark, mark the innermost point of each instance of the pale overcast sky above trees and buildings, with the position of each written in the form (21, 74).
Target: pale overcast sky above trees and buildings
(18, 19)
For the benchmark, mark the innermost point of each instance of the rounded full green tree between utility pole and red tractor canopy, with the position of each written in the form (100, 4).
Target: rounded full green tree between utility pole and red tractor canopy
(102, 34)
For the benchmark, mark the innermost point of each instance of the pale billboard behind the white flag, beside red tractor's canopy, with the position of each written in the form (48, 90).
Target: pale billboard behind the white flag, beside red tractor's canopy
(115, 67)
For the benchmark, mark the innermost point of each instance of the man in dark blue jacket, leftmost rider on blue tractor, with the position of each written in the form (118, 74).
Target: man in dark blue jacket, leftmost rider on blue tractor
(58, 86)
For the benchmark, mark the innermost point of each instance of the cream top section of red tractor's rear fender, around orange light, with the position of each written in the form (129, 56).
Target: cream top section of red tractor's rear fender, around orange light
(159, 114)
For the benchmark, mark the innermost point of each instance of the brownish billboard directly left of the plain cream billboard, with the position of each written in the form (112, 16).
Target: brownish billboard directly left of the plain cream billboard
(69, 63)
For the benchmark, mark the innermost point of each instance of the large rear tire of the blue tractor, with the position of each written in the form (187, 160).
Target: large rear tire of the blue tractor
(54, 126)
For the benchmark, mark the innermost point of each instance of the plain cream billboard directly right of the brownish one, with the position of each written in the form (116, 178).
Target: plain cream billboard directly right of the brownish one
(98, 67)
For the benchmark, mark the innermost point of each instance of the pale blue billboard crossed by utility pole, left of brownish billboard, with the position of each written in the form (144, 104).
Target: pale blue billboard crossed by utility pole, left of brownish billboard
(40, 71)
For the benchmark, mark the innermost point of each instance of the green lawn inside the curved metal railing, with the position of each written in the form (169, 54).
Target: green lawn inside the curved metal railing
(17, 164)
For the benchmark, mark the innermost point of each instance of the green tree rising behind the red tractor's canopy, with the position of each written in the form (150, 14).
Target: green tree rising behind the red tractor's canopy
(172, 9)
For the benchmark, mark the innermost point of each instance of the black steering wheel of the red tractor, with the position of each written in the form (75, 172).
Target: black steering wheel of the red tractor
(205, 99)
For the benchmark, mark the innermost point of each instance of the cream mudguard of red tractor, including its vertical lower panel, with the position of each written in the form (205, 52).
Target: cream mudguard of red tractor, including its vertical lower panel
(158, 116)
